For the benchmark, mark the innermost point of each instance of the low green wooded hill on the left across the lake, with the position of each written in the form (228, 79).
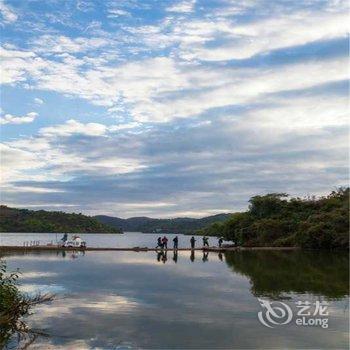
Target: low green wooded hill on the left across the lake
(23, 220)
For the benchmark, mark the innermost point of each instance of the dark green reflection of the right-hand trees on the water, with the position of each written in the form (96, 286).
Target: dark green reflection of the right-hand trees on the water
(274, 273)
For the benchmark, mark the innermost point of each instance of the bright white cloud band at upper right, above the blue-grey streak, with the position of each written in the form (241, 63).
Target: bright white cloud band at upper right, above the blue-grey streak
(248, 39)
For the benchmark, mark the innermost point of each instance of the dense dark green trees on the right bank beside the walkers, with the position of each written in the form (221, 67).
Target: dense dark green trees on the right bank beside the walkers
(276, 220)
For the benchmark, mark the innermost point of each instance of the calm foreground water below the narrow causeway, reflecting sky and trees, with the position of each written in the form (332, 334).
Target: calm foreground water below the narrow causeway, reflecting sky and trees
(128, 300)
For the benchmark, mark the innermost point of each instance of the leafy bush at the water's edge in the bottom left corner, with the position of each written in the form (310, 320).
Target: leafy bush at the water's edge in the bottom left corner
(14, 307)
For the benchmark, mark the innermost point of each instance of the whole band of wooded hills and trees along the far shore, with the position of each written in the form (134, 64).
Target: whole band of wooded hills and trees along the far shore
(273, 219)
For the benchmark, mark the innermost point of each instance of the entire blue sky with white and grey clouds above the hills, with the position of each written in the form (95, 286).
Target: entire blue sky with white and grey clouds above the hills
(171, 108)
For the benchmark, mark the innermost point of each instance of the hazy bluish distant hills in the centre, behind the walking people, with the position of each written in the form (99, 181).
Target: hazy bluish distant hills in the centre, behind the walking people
(147, 225)
